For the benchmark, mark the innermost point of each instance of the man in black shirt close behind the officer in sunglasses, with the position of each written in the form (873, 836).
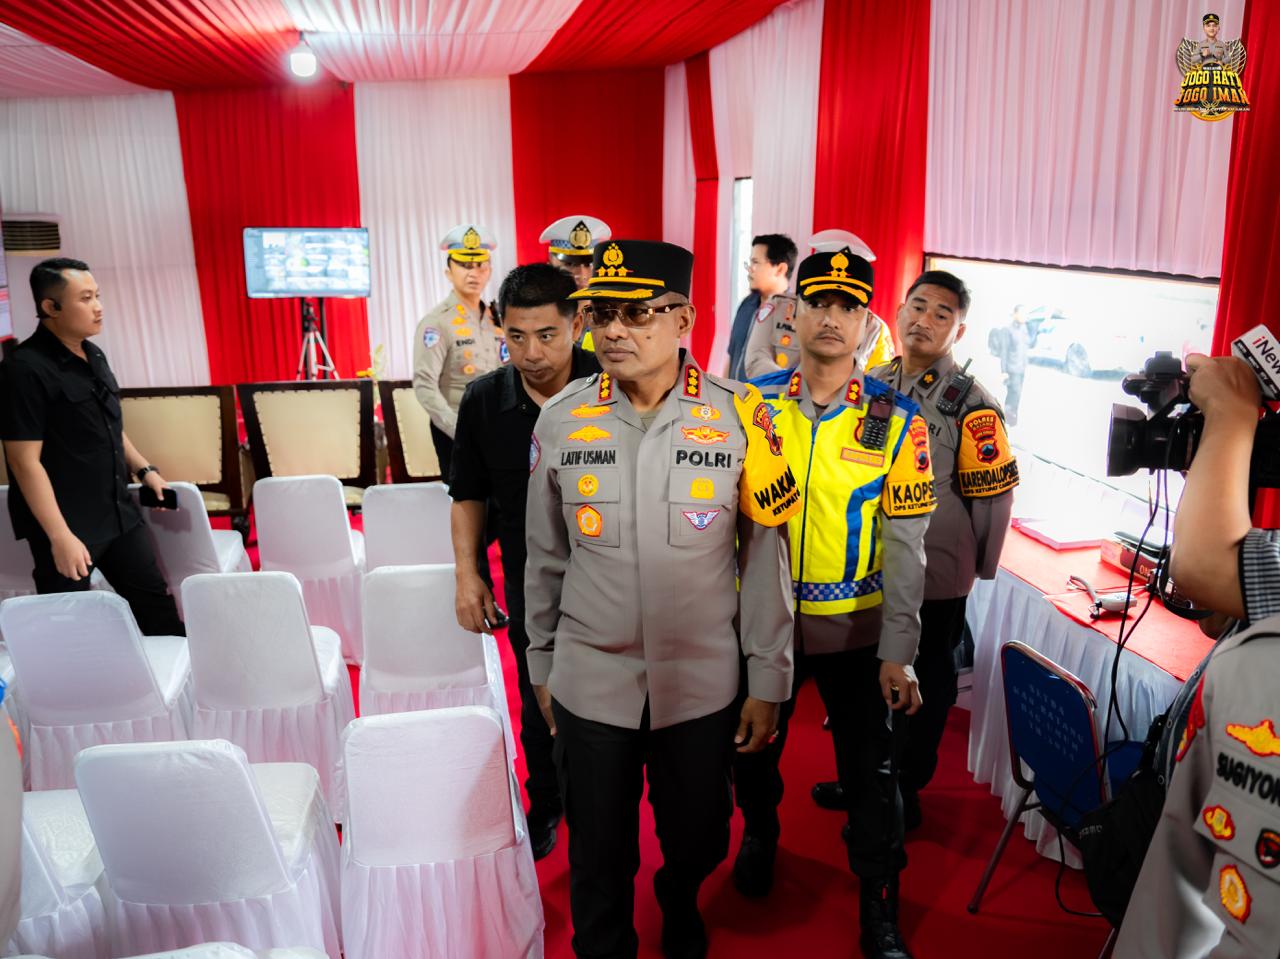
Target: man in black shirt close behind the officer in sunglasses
(491, 460)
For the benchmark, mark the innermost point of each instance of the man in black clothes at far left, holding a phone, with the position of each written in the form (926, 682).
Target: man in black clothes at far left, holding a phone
(68, 456)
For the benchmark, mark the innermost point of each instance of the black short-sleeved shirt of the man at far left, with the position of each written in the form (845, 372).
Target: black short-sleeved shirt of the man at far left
(74, 407)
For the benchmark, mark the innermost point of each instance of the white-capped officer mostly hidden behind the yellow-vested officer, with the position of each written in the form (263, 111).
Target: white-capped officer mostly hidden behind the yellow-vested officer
(772, 344)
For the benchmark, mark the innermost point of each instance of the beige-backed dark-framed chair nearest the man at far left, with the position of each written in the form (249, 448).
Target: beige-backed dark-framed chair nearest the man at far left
(190, 435)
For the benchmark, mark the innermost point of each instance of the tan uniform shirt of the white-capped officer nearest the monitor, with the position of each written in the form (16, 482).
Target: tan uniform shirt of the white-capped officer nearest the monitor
(452, 346)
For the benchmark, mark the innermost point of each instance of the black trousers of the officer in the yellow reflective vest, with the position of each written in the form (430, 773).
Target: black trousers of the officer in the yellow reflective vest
(868, 738)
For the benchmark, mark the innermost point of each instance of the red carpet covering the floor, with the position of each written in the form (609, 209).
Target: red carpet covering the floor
(813, 908)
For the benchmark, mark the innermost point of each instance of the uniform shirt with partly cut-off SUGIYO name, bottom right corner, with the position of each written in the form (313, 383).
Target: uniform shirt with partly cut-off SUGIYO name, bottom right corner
(1210, 885)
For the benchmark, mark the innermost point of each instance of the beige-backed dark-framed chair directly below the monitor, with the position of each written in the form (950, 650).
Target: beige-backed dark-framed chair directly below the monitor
(300, 430)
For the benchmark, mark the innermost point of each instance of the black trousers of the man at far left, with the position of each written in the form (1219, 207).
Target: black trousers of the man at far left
(130, 565)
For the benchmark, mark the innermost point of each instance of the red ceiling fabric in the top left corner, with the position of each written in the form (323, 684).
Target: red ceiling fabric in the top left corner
(166, 44)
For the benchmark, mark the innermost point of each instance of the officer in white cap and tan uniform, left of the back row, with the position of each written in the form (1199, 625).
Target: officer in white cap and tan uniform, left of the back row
(456, 341)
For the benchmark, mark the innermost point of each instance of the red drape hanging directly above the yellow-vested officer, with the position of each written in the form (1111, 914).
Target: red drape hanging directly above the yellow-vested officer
(872, 136)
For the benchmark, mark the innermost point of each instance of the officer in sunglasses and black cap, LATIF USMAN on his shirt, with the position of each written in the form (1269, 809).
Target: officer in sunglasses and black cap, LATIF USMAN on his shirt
(637, 625)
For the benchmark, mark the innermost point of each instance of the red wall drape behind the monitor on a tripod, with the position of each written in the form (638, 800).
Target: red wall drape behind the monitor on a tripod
(268, 158)
